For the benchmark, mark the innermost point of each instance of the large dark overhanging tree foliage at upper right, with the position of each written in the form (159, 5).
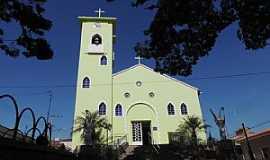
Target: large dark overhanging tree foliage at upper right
(183, 31)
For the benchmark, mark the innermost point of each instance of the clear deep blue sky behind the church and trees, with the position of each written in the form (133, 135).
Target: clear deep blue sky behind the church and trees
(246, 99)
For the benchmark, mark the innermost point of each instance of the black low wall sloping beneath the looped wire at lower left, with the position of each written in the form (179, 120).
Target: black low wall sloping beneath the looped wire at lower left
(14, 150)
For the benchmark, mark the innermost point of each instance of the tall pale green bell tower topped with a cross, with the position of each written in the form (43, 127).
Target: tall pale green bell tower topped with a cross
(94, 76)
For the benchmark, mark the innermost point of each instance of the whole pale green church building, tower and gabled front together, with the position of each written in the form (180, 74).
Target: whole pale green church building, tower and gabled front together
(142, 105)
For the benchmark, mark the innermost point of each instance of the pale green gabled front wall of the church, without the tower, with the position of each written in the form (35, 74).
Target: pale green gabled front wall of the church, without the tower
(166, 90)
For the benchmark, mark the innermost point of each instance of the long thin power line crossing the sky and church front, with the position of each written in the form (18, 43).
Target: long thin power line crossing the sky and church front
(146, 82)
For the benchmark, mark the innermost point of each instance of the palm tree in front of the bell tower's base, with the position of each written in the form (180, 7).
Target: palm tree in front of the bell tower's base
(91, 126)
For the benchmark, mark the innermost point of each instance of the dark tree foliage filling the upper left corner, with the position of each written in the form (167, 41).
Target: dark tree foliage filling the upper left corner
(28, 15)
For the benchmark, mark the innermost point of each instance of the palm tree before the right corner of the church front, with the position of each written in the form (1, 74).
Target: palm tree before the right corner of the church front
(191, 126)
